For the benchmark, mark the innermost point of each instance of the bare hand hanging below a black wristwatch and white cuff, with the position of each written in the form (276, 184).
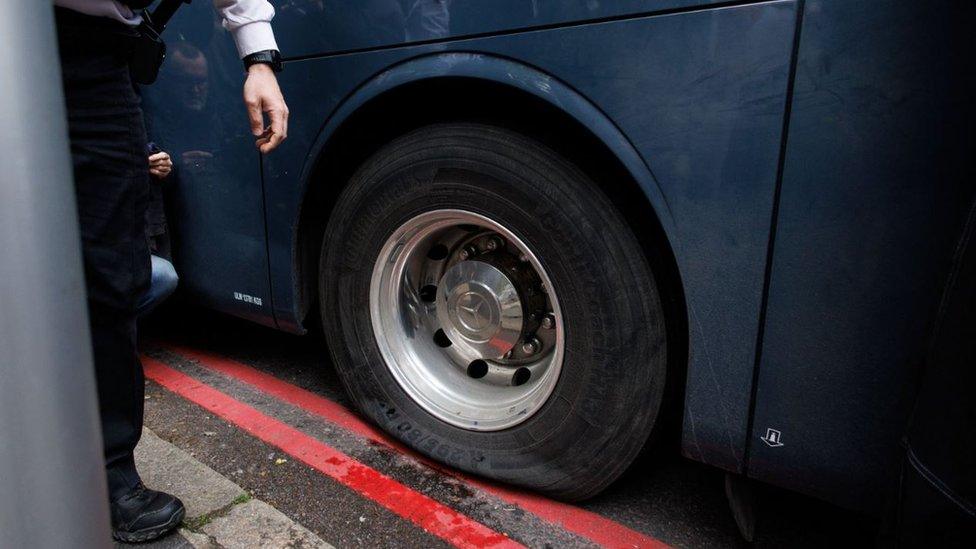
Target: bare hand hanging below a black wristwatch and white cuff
(262, 95)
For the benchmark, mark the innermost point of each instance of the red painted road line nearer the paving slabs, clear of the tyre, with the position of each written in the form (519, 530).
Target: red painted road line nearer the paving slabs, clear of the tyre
(438, 519)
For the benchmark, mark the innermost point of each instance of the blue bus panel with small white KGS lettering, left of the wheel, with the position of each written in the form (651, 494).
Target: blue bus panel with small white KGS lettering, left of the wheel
(215, 197)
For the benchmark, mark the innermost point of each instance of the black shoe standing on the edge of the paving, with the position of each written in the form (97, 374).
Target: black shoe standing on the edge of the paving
(142, 515)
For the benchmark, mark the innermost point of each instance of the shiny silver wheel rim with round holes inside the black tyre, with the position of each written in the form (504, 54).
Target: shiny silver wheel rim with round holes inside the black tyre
(466, 320)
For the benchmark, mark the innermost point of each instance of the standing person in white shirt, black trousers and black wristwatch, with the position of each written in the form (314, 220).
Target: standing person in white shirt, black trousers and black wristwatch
(108, 145)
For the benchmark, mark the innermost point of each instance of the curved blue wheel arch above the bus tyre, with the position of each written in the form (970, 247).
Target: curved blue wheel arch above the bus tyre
(477, 87)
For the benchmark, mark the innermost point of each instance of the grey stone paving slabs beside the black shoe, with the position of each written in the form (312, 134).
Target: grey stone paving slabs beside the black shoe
(219, 513)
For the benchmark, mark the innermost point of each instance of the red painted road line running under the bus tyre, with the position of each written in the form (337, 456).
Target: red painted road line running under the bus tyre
(592, 526)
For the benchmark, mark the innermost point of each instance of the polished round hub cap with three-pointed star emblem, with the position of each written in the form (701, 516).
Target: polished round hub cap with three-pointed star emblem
(479, 307)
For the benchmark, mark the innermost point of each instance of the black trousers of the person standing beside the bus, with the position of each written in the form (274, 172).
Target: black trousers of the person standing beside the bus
(108, 150)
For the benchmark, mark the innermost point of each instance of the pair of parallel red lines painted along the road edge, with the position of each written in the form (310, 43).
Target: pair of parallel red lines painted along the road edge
(434, 517)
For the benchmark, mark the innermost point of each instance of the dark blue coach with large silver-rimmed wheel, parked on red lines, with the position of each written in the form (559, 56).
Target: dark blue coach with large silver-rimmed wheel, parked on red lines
(536, 229)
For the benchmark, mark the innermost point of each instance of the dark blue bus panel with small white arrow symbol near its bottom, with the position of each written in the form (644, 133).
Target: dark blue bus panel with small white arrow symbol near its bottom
(871, 202)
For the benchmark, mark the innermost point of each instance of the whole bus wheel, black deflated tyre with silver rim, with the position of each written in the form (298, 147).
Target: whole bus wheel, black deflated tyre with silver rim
(486, 304)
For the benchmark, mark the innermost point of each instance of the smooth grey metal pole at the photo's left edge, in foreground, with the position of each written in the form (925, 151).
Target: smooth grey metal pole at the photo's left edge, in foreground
(52, 478)
